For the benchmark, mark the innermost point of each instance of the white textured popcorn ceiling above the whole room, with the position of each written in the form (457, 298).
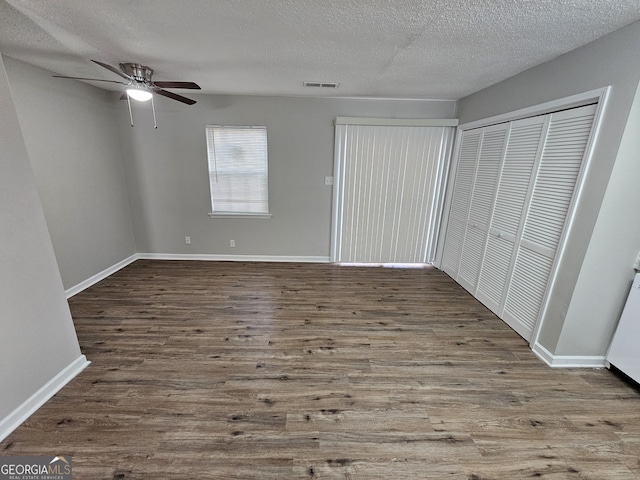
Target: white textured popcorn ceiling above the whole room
(432, 49)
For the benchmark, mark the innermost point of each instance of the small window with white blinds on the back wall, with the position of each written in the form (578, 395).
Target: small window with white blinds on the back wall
(238, 170)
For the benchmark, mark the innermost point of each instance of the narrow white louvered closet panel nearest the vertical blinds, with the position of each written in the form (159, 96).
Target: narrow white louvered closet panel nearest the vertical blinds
(456, 226)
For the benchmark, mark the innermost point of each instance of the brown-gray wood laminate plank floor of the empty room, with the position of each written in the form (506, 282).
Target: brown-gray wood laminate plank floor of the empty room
(207, 370)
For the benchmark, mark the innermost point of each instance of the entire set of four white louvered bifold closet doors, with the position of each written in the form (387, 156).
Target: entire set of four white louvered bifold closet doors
(513, 191)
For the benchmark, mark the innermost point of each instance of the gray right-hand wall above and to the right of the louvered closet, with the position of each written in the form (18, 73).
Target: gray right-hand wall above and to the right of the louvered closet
(596, 271)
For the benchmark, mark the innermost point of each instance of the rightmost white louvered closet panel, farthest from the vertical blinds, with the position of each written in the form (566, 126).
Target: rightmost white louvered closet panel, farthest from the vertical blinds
(553, 193)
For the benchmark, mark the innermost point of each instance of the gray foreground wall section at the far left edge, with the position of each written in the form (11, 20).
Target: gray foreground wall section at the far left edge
(38, 337)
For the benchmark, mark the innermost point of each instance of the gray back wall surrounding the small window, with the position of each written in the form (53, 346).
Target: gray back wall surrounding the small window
(169, 180)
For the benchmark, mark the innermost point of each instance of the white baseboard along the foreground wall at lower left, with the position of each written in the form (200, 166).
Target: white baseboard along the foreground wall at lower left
(35, 401)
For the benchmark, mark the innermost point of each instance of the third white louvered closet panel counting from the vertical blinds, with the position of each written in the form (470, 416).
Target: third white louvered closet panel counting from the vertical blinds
(524, 149)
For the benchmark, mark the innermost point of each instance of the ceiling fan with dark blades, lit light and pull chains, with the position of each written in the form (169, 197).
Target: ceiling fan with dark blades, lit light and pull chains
(140, 86)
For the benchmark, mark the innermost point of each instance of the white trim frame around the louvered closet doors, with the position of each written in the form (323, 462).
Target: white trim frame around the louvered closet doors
(597, 96)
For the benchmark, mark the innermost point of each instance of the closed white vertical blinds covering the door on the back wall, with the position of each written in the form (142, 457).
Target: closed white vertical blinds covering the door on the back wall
(389, 192)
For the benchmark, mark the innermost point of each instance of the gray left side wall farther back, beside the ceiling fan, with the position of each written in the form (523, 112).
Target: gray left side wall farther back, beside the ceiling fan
(70, 133)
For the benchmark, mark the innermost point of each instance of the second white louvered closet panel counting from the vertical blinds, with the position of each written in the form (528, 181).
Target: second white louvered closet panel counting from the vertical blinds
(492, 149)
